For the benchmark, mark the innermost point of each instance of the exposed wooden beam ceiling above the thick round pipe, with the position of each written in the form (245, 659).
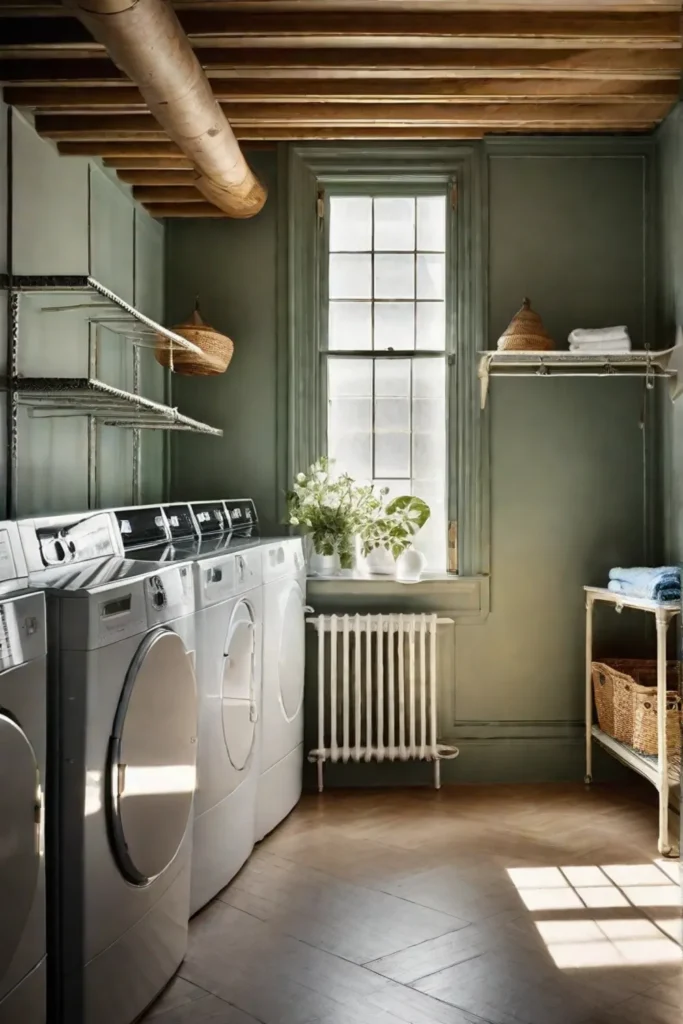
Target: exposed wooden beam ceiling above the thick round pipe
(352, 69)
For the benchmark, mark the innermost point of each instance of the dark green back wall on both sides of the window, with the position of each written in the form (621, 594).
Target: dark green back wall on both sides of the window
(568, 226)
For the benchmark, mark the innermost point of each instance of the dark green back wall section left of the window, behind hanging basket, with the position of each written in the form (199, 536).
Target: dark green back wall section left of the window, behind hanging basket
(233, 267)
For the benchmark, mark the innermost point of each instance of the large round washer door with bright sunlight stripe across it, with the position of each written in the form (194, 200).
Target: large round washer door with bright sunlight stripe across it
(153, 755)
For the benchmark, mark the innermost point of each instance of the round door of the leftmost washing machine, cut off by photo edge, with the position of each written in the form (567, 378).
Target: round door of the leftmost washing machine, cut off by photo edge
(20, 836)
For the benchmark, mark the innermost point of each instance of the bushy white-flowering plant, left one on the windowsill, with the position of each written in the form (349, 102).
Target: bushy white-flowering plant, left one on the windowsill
(332, 510)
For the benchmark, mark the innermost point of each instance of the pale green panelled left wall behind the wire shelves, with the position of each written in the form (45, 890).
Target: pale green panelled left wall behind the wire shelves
(70, 216)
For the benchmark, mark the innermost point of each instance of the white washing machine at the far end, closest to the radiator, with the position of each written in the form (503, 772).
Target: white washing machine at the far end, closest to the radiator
(281, 741)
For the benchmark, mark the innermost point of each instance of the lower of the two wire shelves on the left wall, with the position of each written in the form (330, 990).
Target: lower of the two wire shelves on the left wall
(111, 406)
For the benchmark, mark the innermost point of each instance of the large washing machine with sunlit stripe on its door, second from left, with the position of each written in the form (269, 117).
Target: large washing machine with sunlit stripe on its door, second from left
(122, 718)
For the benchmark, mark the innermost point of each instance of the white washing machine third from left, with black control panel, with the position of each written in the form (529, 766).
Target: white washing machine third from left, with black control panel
(226, 560)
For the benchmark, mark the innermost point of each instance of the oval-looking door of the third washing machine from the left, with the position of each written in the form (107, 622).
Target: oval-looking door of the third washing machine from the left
(238, 697)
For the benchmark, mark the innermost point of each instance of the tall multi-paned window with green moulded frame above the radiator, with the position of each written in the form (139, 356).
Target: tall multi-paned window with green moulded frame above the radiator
(383, 319)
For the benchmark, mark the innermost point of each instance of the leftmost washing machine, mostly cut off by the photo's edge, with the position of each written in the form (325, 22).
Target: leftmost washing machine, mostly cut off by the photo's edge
(23, 755)
